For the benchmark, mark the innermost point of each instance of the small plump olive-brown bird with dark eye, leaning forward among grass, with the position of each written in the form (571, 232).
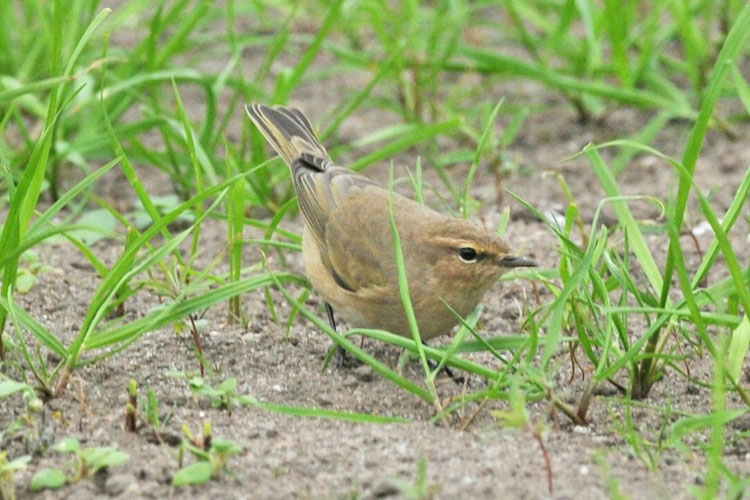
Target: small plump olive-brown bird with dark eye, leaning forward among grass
(348, 248)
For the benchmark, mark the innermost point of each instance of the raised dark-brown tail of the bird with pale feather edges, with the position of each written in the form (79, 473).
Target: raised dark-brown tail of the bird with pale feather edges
(291, 135)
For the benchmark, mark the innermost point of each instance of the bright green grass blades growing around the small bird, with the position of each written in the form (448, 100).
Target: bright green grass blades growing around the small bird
(89, 93)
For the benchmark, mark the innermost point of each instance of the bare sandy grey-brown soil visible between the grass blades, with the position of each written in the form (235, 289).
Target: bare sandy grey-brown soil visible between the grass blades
(293, 457)
